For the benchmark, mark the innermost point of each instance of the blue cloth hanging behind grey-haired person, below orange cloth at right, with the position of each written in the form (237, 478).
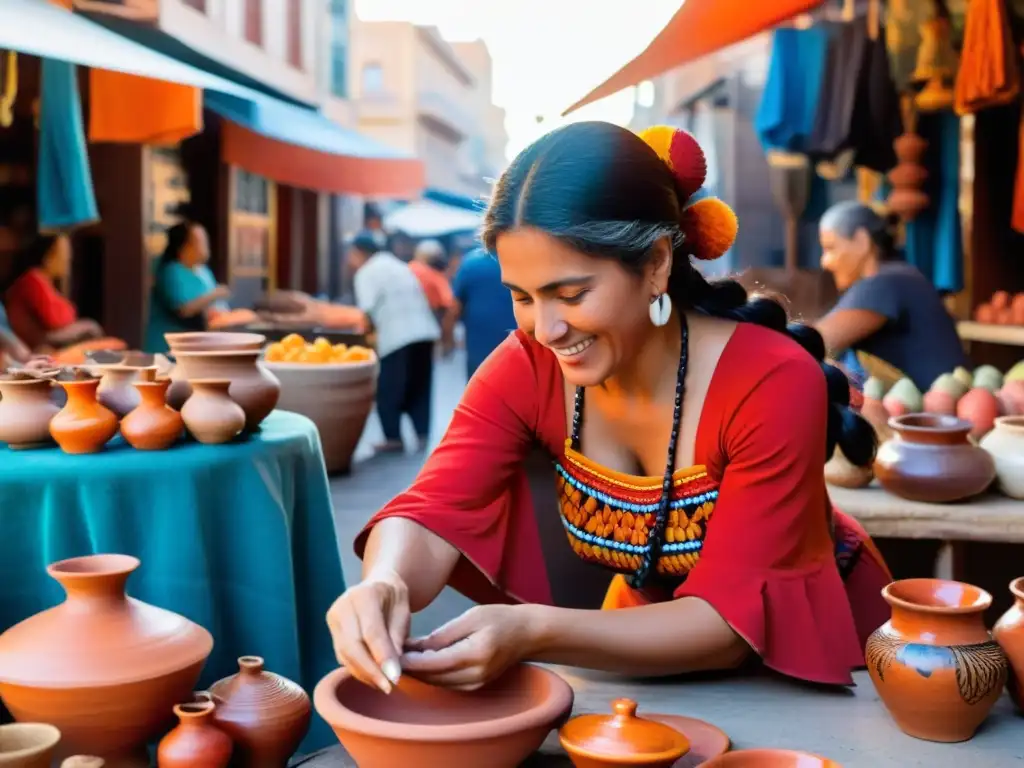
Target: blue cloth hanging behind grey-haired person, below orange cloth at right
(934, 241)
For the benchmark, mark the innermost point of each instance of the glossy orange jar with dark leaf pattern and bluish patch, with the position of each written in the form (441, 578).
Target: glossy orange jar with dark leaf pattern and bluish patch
(934, 664)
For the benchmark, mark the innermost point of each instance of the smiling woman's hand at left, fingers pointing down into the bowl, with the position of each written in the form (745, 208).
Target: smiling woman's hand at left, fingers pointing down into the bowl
(370, 626)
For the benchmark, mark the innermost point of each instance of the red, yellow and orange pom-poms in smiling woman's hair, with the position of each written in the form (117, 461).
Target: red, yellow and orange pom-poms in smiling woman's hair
(709, 226)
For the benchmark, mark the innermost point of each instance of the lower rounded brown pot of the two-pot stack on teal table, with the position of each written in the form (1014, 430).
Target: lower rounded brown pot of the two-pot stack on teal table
(253, 388)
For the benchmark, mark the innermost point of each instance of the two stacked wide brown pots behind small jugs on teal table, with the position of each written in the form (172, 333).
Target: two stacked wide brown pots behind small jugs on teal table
(225, 357)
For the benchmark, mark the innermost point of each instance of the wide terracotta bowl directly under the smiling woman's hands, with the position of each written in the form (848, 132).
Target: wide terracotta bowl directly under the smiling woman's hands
(498, 727)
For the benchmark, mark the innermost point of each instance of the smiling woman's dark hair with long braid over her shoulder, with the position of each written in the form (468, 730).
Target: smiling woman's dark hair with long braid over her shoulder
(605, 192)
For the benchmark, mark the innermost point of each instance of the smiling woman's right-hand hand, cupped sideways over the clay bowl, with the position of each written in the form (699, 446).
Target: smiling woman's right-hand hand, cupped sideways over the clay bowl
(474, 650)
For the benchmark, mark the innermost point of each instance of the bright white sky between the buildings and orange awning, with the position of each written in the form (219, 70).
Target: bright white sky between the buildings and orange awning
(547, 54)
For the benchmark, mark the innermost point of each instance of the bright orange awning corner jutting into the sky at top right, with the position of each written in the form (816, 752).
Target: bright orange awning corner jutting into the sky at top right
(699, 28)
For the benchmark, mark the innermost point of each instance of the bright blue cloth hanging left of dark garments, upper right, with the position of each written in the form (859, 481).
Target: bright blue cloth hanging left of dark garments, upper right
(789, 104)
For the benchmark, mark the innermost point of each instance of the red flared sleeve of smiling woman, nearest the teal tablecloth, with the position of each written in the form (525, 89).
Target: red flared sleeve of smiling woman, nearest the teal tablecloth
(474, 492)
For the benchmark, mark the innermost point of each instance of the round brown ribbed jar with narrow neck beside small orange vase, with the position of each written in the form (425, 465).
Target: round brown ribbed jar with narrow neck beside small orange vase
(267, 715)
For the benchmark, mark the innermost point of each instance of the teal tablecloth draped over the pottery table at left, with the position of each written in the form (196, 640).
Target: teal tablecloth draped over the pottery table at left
(239, 538)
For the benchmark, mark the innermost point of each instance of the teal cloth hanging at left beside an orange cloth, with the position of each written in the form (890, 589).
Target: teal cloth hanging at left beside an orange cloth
(65, 195)
